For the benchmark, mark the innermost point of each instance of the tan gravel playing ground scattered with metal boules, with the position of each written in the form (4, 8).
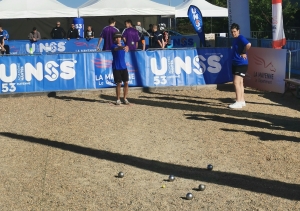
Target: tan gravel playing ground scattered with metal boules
(64, 152)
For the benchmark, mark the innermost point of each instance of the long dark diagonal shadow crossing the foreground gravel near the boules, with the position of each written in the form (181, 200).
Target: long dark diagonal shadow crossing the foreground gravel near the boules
(254, 184)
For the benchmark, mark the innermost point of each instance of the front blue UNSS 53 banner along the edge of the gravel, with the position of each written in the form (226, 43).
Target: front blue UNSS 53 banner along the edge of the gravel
(80, 71)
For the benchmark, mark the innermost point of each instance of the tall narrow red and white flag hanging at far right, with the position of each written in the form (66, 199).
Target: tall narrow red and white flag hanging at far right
(277, 25)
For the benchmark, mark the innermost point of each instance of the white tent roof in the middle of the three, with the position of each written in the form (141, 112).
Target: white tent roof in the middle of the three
(124, 7)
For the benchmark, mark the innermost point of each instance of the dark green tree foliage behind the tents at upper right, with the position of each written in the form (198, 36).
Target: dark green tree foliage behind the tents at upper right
(260, 17)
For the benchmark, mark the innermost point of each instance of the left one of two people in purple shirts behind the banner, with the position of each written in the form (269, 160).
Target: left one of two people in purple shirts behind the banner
(107, 34)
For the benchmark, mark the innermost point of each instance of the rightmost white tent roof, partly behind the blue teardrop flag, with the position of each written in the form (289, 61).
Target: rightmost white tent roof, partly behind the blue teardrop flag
(207, 9)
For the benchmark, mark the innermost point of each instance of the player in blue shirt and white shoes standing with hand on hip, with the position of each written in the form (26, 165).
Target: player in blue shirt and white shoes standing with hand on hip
(240, 46)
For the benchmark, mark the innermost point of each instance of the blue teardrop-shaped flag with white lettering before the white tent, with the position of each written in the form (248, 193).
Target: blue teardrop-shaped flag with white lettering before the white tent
(195, 17)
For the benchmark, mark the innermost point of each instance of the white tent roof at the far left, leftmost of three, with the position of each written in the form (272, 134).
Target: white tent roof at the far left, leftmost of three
(13, 9)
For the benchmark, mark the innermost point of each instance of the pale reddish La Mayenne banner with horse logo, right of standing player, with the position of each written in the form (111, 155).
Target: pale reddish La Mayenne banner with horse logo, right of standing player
(266, 70)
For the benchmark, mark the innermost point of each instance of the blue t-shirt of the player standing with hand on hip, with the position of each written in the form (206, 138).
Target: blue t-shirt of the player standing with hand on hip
(238, 46)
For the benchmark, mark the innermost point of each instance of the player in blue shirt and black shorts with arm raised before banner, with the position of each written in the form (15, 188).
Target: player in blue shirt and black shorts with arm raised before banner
(119, 67)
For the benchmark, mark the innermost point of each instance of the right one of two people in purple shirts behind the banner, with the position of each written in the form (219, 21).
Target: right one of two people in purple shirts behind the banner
(130, 36)
